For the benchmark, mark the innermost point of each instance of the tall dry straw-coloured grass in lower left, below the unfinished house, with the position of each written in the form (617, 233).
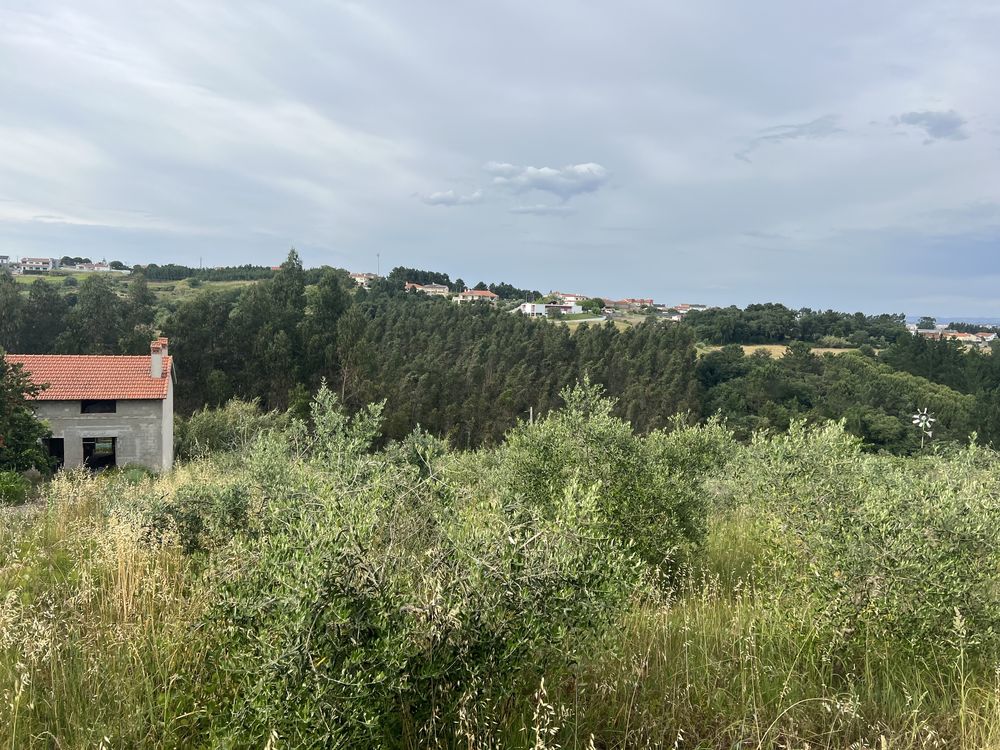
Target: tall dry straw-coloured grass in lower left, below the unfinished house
(96, 646)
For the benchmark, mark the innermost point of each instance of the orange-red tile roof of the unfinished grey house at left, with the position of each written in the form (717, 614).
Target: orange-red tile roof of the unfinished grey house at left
(73, 377)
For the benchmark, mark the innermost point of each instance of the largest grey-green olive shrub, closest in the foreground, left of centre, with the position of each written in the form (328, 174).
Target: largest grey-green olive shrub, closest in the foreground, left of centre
(384, 609)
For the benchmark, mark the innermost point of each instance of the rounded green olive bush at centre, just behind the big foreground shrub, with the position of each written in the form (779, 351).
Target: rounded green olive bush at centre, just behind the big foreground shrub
(648, 490)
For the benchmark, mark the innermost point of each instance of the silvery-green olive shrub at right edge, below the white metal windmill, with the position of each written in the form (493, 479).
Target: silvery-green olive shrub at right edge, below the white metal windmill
(888, 550)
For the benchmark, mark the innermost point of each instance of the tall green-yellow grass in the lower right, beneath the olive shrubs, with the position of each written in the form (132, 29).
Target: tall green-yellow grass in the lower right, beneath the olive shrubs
(724, 665)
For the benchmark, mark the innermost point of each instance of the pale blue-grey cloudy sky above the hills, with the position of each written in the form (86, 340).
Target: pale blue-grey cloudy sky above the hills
(842, 155)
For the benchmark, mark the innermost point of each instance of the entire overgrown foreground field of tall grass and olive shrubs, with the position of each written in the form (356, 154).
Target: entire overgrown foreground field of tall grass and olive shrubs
(295, 584)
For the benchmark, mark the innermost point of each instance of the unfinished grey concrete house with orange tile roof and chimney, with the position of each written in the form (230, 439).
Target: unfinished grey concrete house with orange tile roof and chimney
(106, 410)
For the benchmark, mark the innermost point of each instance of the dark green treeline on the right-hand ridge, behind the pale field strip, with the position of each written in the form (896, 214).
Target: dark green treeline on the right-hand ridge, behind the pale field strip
(773, 323)
